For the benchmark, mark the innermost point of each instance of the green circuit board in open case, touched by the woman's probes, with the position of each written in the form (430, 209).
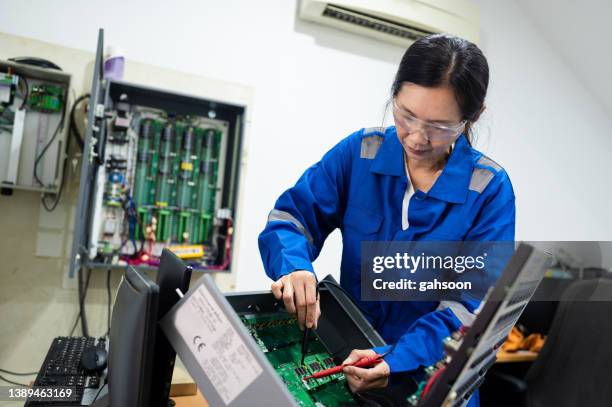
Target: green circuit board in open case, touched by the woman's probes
(280, 338)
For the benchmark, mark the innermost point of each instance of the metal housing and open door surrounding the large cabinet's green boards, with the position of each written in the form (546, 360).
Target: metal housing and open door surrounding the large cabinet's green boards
(107, 98)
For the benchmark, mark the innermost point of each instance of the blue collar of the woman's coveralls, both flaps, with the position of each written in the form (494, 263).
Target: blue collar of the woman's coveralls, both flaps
(451, 186)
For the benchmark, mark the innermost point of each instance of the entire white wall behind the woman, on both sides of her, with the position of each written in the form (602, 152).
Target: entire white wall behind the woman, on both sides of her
(314, 85)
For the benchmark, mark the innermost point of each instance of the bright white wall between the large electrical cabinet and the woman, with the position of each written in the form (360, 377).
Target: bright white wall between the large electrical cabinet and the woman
(312, 85)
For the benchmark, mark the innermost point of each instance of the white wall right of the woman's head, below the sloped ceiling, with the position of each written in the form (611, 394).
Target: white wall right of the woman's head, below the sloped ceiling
(547, 130)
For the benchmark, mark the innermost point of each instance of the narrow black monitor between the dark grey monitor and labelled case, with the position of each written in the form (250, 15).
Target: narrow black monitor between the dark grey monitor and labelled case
(172, 274)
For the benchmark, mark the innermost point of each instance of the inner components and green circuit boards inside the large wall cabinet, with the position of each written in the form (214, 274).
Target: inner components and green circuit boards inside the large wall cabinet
(160, 186)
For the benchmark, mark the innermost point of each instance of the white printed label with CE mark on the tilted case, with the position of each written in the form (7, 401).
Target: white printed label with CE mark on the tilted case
(216, 345)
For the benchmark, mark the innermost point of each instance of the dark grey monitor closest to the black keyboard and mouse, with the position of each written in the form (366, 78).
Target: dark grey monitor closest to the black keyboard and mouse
(132, 341)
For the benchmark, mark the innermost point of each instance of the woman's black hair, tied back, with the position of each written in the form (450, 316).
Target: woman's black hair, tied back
(443, 59)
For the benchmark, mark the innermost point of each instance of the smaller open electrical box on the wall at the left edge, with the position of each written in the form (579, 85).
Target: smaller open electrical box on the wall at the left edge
(33, 106)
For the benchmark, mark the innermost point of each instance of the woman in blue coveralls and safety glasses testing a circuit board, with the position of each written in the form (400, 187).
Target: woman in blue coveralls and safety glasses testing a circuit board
(417, 180)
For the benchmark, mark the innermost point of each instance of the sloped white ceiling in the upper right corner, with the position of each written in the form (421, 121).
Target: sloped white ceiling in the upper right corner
(581, 34)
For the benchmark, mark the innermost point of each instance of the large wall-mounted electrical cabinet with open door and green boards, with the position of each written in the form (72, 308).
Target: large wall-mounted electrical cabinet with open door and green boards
(161, 170)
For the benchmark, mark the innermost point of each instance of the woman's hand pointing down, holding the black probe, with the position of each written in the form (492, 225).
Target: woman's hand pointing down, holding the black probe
(298, 290)
